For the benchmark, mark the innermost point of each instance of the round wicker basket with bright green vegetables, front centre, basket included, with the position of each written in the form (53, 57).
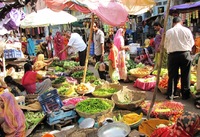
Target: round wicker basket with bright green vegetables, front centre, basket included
(93, 107)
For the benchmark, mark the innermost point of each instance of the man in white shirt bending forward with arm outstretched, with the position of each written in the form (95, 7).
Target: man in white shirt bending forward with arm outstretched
(76, 41)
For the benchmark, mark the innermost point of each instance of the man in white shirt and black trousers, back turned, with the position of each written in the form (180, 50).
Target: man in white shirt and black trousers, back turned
(178, 43)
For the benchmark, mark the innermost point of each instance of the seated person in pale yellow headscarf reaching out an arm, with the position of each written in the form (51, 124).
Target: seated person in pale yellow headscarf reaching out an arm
(40, 63)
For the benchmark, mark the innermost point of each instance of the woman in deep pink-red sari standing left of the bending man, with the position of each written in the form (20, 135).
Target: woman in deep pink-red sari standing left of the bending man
(59, 45)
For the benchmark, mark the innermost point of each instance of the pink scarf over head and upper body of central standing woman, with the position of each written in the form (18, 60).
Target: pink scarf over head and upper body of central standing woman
(119, 39)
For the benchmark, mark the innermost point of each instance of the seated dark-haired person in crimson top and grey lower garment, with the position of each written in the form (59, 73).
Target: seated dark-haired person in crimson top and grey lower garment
(34, 82)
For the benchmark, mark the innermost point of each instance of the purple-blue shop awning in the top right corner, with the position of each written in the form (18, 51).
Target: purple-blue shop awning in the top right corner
(183, 8)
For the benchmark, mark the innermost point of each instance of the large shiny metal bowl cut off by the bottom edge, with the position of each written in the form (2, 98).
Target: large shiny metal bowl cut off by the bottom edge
(116, 129)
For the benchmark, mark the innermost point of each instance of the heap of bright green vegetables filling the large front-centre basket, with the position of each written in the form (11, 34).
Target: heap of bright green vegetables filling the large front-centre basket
(93, 105)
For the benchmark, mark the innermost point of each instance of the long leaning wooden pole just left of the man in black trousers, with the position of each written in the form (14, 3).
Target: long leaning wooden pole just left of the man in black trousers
(160, 61)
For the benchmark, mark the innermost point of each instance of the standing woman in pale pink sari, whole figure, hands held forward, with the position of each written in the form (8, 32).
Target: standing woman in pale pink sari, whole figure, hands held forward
(119, 43)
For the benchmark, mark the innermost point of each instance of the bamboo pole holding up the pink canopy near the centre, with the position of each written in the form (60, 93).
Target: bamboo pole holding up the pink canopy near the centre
(88, 49)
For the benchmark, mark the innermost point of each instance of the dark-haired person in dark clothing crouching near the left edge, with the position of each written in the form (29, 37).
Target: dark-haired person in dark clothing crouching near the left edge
(16, 88)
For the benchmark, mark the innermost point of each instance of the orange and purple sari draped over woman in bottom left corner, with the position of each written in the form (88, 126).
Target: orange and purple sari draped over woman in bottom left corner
(14, 124)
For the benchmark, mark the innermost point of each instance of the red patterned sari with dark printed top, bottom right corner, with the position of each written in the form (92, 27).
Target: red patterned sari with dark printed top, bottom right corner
(186, 126)
